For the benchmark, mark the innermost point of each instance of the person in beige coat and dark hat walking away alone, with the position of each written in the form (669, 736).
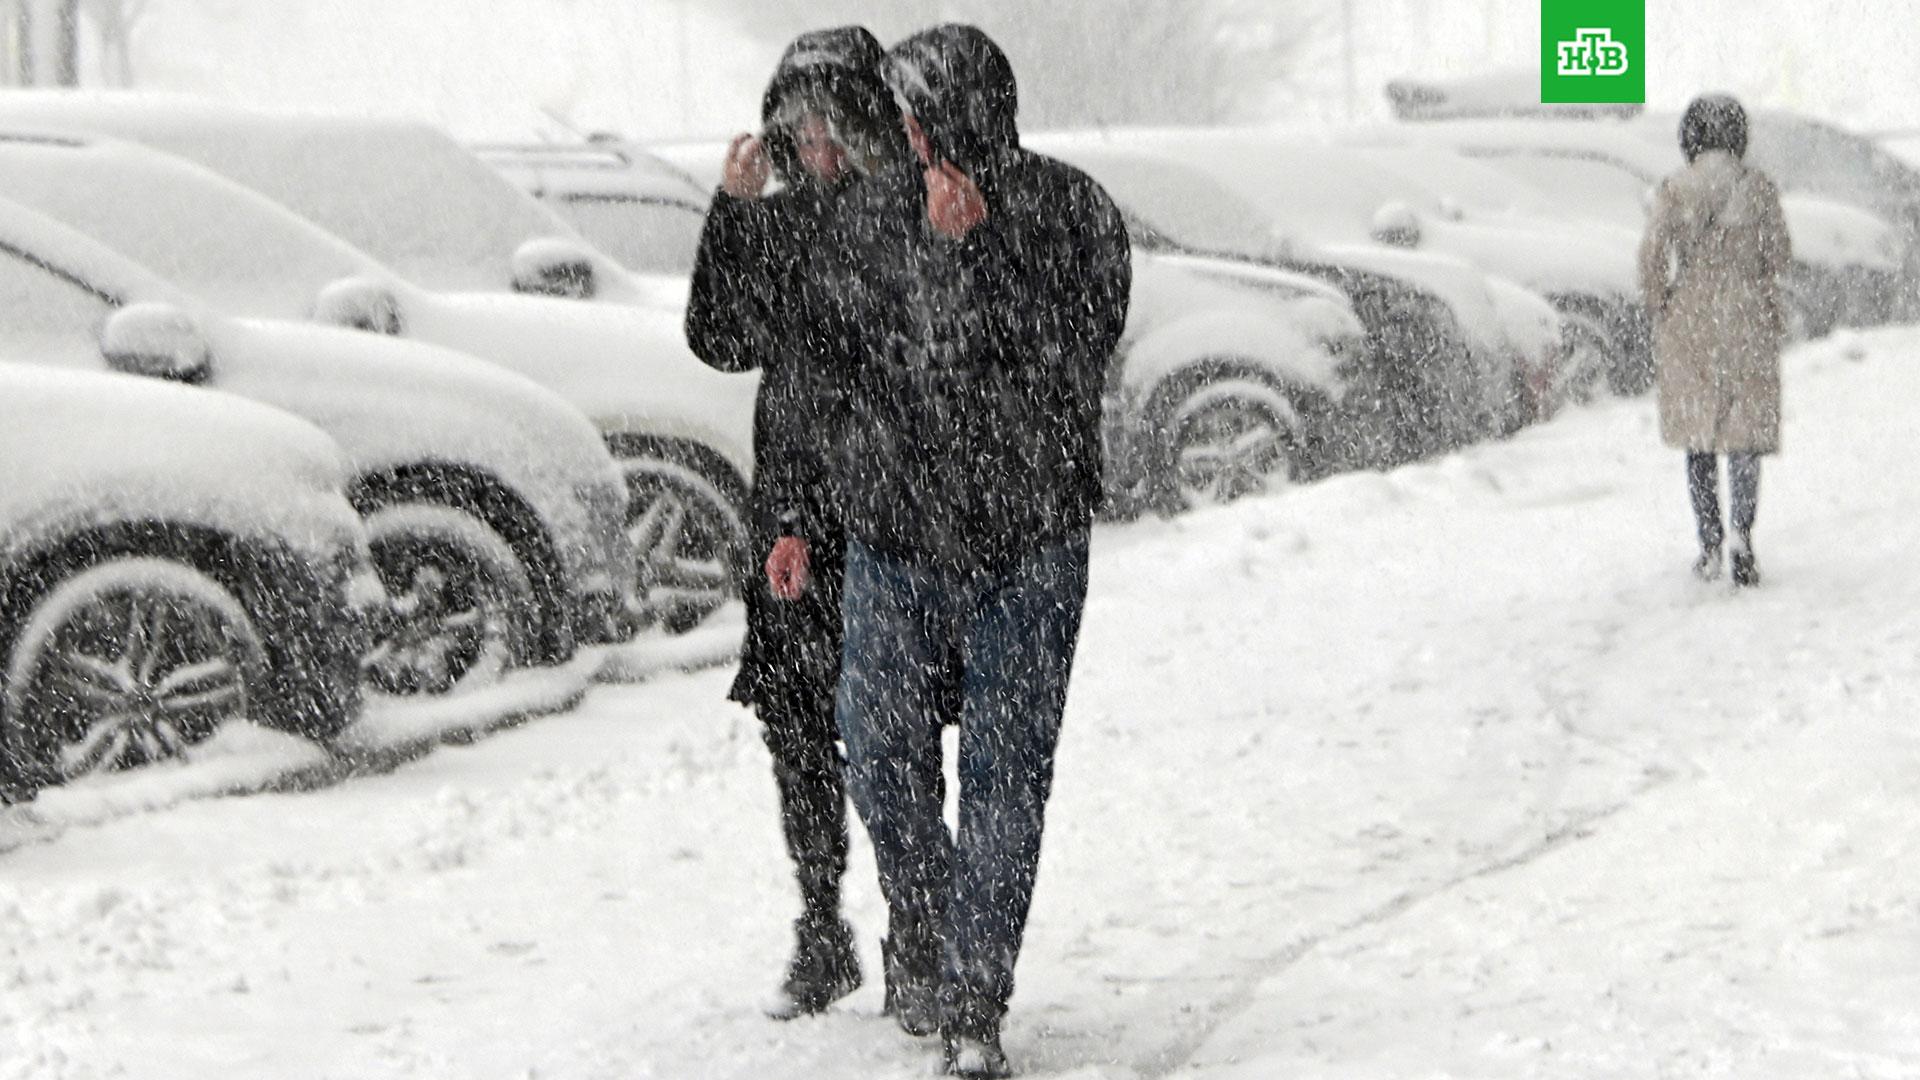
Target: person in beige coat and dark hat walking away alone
(1710, 272)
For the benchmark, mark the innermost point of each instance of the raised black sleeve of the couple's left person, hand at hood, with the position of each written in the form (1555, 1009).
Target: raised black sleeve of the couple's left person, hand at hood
(734, 308)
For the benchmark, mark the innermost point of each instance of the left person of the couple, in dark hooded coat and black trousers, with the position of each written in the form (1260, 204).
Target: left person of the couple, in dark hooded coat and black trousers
(828, 122)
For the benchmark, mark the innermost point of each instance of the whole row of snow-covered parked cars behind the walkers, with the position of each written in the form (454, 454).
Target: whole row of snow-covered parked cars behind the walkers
(300, 410)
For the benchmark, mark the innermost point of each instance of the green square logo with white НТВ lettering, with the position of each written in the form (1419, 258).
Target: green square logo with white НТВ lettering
(1593, 51)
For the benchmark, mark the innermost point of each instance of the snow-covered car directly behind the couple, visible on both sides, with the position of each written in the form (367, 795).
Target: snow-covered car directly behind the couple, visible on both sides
(1230, 378)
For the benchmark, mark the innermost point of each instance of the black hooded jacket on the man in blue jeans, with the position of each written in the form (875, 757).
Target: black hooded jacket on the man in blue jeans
(971, 428)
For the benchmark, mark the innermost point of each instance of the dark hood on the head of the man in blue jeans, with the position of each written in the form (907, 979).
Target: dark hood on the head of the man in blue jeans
(961, 89)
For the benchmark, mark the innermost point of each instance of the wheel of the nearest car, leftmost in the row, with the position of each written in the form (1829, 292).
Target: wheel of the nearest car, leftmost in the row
(124, 664)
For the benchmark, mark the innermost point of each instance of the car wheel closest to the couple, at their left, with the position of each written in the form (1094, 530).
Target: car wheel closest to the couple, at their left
(688, 537)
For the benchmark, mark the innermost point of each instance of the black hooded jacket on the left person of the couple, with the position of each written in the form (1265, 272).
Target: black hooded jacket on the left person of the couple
(750, 310)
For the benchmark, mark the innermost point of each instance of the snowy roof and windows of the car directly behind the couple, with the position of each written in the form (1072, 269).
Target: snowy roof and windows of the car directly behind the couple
(642, 210)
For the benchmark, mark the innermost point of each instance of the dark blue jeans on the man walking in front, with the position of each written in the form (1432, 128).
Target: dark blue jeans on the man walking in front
(992, 652)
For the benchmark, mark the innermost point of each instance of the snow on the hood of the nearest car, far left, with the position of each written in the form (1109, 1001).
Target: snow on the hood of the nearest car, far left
(85, 449)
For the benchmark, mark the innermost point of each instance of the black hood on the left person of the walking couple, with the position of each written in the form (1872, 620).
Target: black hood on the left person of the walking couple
(836, 74)
